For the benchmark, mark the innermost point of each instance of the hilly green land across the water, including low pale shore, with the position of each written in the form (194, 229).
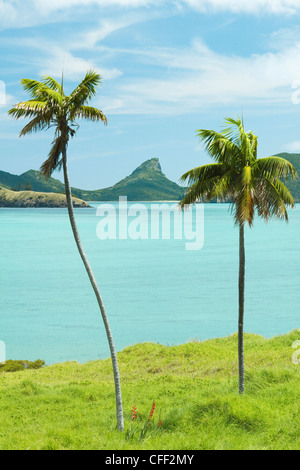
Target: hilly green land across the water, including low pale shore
(146, 183)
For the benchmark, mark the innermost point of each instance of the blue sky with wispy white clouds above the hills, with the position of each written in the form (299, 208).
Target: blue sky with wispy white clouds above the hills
(168, 67)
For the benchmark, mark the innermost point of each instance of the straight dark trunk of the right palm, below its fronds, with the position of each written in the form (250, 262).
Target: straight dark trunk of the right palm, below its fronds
(241, 309)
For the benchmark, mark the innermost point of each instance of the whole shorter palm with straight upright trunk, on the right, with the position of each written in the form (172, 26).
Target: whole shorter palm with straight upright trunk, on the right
(248, 183)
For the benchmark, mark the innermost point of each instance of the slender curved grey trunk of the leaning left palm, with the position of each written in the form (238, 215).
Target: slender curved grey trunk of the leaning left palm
(120, 421)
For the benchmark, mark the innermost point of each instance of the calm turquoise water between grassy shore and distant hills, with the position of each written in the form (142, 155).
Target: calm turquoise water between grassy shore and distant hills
(153, 290)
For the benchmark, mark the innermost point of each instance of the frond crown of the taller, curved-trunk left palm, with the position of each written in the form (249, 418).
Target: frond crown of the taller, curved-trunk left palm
(49, 106)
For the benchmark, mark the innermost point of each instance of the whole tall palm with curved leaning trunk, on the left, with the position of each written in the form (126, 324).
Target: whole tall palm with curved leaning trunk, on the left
(50, 107)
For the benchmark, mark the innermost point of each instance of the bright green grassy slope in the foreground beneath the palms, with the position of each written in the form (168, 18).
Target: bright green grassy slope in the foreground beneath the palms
(195, 389)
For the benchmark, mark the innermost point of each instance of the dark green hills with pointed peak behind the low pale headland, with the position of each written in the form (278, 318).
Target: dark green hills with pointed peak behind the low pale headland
(147, 182)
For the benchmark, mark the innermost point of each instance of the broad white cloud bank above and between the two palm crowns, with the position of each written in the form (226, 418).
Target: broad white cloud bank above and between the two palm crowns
(195, 78)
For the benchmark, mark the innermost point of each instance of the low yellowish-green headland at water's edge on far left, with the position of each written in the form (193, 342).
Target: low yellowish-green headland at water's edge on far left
(24, 199)
